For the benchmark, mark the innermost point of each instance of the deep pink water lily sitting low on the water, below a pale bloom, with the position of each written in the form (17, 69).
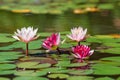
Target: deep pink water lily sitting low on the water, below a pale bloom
(82, 51)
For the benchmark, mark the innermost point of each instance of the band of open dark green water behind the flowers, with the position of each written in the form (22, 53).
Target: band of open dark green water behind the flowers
(97, 23)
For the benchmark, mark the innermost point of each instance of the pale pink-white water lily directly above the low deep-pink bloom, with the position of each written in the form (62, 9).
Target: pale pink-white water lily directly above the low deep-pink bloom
(77, 34)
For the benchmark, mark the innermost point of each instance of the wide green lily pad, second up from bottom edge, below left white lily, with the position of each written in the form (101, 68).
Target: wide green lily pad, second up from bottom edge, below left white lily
(30, 73)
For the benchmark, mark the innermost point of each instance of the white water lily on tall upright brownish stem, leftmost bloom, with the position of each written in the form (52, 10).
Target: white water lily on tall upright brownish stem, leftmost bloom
(26, 35)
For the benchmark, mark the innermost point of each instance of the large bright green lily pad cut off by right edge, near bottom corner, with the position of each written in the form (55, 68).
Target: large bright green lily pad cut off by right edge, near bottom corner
(104, 69)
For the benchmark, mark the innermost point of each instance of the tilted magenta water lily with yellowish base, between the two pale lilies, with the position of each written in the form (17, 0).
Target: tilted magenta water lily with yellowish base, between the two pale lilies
(52, 42)
